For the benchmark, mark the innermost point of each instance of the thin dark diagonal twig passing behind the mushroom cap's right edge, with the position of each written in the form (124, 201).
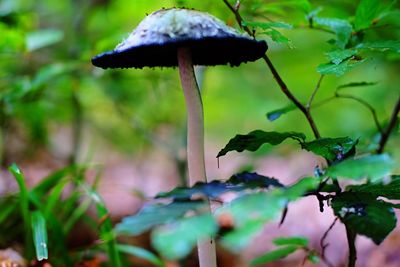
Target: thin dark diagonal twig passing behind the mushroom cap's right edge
(276, 75)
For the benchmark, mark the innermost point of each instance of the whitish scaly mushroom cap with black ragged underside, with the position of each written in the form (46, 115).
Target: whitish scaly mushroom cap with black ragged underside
(155, 41)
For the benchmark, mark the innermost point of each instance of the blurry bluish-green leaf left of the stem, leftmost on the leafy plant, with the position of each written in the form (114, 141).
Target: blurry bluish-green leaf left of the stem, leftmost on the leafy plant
(153, 215)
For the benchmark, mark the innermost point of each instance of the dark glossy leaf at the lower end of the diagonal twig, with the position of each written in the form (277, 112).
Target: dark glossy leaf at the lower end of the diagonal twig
(332, 149)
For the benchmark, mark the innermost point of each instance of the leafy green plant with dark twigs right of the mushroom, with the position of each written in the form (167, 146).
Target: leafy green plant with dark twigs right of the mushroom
(359, 207)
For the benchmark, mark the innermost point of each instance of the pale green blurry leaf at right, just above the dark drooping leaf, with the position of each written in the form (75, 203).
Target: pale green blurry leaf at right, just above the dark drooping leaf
(373, 167)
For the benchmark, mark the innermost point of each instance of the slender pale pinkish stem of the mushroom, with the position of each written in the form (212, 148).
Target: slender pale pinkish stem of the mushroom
(195, 142)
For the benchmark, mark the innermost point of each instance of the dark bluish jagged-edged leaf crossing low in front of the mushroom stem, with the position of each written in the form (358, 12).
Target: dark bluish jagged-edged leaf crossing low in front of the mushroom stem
(238, 182)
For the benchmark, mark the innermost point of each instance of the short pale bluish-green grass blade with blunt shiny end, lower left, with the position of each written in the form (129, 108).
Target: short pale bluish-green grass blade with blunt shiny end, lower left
(39, 235)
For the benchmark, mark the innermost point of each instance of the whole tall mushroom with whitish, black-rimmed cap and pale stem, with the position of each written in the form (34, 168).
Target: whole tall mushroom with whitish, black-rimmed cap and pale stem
(182, 37)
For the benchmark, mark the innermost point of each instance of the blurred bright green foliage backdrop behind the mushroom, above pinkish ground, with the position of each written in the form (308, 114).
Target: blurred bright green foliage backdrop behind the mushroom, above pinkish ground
(48, 87)
